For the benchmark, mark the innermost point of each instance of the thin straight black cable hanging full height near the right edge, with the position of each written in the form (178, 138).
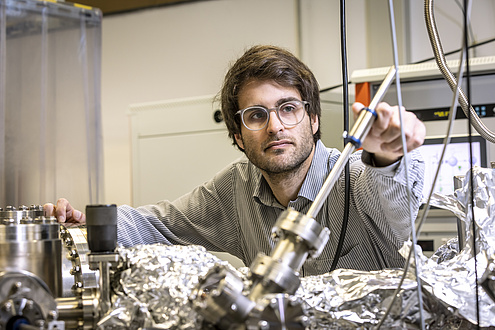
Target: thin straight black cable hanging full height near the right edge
(468, 86)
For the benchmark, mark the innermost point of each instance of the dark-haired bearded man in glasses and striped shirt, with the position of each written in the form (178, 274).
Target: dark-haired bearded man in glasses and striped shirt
(270, 103)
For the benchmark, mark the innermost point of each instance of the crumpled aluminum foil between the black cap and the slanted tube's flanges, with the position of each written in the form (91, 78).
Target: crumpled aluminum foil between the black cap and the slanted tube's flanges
(153, 284)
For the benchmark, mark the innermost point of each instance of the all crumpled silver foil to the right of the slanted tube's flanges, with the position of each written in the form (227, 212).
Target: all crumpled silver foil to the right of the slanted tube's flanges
(349, 299)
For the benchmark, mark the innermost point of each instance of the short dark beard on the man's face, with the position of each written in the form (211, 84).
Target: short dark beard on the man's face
(281, 161)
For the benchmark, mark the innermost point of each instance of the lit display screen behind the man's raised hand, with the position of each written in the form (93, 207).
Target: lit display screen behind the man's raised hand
(455, 161)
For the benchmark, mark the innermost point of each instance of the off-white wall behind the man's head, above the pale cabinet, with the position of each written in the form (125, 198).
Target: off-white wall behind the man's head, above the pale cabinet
(184, 51)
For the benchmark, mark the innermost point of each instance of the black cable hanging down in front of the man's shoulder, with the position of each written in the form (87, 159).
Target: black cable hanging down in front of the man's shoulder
(345, 95)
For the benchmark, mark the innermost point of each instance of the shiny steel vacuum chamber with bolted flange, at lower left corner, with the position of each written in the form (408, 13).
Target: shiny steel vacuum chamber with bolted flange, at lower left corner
(47, 263)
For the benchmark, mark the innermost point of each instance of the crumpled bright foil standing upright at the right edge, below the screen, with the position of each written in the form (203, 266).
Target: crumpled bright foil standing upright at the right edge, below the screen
(451, 276)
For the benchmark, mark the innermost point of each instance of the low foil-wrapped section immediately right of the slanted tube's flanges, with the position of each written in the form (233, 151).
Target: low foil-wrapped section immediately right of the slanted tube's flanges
(350, 299)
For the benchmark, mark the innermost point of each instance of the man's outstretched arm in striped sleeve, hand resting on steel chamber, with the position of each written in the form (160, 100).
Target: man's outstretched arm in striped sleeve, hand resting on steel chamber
(204, 217)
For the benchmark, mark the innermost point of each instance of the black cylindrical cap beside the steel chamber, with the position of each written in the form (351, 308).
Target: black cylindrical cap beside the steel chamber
(101, 221)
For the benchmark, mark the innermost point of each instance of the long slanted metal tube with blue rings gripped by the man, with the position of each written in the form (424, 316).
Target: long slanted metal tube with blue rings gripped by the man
(359, 131)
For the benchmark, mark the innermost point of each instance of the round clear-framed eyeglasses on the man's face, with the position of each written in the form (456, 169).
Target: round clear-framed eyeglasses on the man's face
(289, 113)
